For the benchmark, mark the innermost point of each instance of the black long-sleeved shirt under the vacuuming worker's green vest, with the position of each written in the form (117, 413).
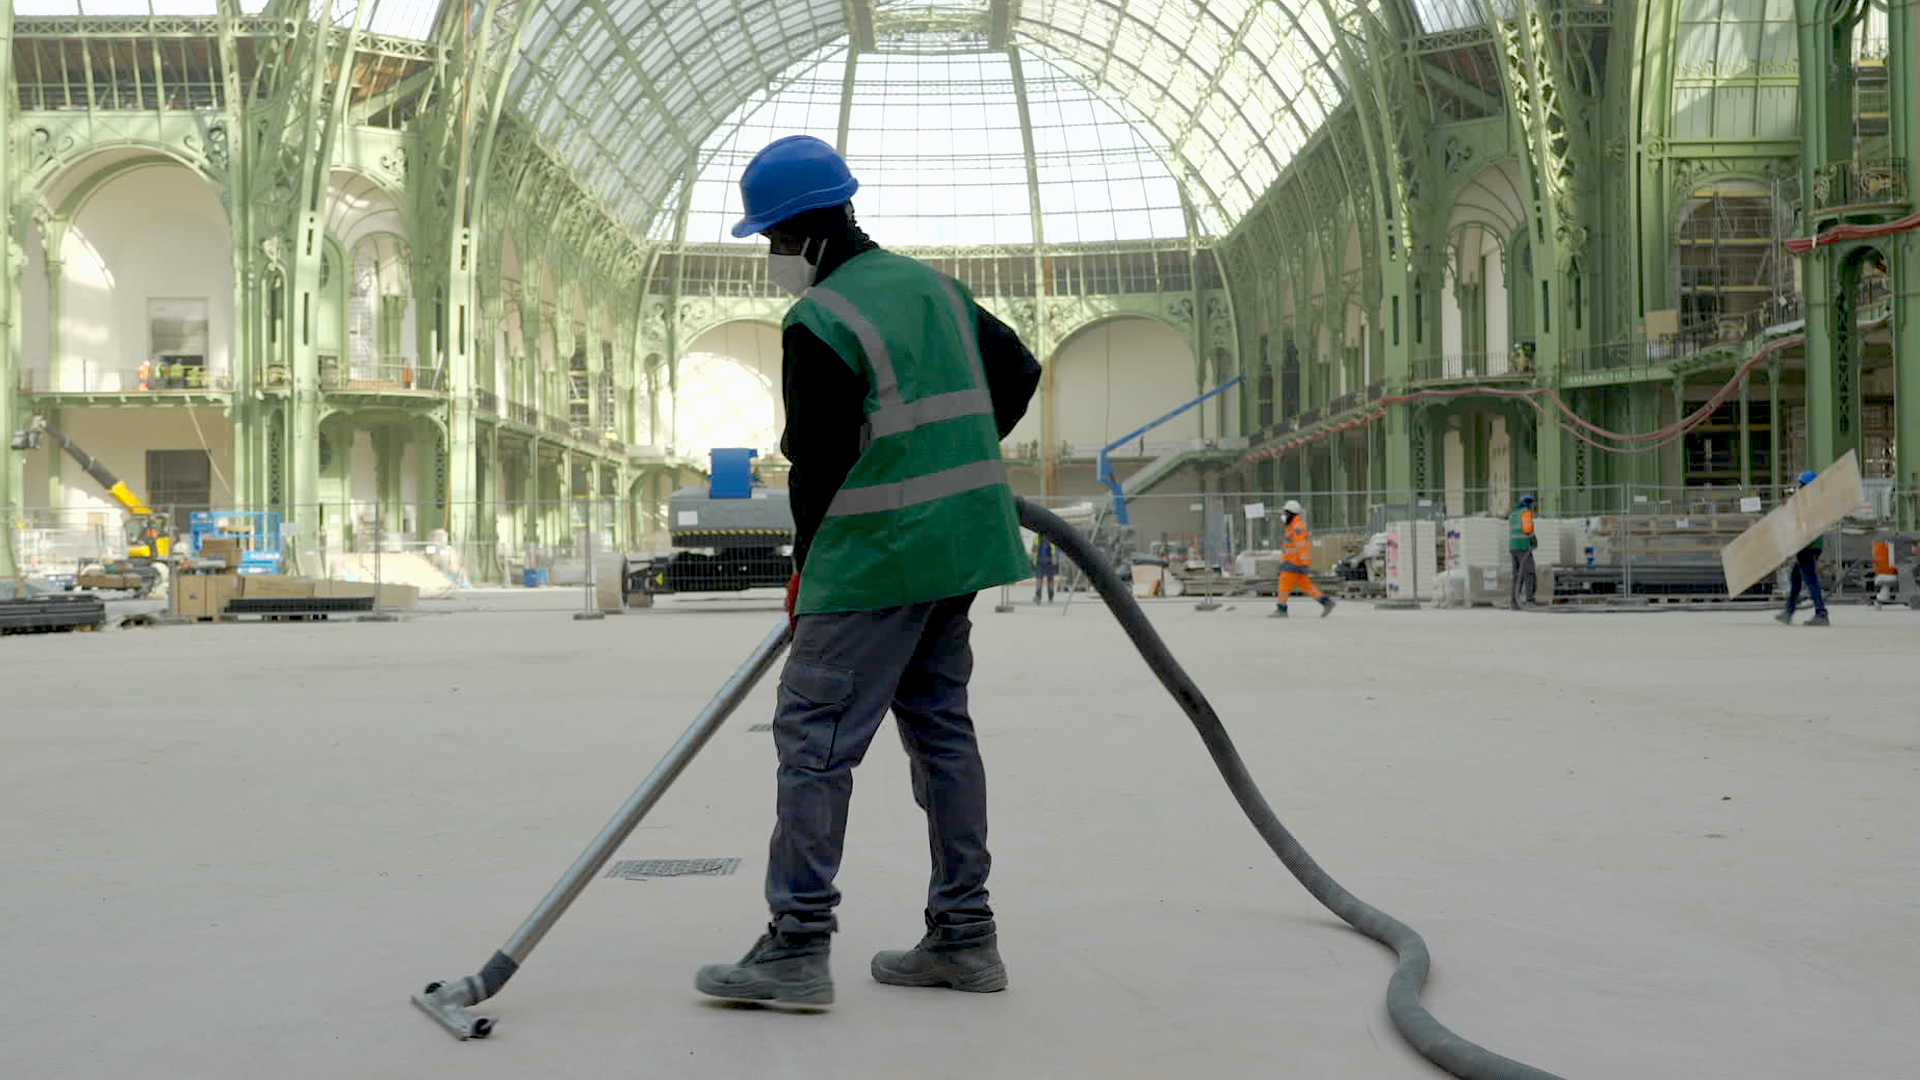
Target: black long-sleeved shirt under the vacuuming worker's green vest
(827, 412)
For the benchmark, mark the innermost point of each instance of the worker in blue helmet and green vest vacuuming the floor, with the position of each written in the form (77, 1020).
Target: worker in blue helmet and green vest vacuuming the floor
(900, 391)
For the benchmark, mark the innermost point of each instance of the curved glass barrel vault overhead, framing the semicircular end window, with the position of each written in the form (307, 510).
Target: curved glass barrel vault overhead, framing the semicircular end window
(631, 91)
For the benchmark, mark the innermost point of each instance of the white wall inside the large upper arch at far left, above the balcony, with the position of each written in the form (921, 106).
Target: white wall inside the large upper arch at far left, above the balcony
(153, 233)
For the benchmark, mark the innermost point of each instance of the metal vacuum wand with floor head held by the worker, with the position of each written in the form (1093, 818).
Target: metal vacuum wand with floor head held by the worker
(448, 1002)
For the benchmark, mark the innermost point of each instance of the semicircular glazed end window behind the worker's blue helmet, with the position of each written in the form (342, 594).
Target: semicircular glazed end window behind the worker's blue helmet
(942, 157)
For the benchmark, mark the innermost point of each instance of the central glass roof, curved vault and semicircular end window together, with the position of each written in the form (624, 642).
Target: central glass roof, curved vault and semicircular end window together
(646, 99)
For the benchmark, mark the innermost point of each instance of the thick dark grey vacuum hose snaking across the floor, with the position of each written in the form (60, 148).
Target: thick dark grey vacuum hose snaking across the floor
(1424, 1033)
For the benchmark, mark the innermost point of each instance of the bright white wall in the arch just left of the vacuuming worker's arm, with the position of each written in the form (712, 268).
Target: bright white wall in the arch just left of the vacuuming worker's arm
(731, 391)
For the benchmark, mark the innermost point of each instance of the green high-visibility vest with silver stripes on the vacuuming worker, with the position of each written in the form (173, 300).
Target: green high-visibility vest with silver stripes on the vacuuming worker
(926, 514)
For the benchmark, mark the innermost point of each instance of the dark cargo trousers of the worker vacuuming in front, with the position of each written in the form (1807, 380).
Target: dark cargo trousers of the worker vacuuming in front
(846, 672)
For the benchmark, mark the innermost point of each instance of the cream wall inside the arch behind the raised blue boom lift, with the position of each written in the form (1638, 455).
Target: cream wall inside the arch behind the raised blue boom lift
(1116, 378)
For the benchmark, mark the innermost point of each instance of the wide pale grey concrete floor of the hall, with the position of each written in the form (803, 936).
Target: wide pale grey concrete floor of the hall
(1654, 847)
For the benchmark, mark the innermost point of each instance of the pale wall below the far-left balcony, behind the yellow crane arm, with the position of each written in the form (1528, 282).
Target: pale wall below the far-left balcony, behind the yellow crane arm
(120, 439)
